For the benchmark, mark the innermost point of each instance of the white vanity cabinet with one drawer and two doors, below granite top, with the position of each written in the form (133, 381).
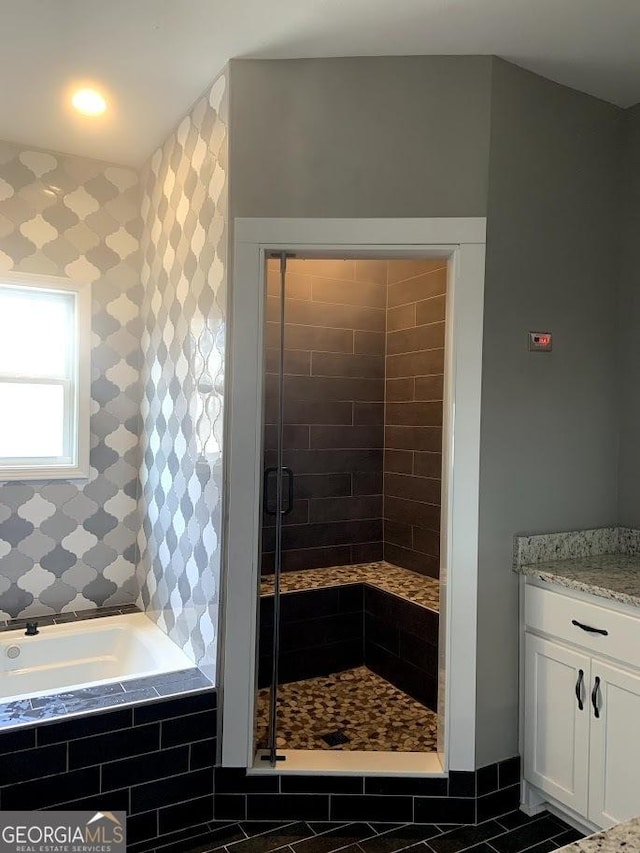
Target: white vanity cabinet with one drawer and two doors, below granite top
(581, 704)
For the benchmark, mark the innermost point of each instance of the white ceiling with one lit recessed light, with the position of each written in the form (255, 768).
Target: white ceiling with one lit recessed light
(154, 57)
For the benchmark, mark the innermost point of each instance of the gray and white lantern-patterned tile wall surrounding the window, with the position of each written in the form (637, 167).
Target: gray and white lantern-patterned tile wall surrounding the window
(72, 545)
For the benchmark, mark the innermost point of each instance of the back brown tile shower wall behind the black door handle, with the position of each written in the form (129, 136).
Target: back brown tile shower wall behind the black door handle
(334, 409)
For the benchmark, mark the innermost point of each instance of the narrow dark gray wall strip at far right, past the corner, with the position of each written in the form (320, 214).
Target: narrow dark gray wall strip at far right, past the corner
(629, 303)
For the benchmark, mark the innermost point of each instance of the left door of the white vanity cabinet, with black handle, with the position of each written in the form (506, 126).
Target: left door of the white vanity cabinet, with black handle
(556, 737)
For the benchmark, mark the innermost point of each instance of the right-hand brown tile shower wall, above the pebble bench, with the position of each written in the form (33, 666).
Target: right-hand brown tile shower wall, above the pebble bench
(413, 424)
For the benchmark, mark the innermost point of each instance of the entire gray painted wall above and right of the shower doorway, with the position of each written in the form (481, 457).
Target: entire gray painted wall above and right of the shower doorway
(474, 136)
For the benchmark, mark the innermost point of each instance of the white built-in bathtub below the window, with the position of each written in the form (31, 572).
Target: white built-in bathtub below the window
(86, 653)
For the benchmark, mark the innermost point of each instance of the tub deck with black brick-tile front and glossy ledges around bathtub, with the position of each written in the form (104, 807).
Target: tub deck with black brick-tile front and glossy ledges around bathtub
(144, 745)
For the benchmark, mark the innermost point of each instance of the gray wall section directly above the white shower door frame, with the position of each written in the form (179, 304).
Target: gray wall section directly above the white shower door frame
(383, 136)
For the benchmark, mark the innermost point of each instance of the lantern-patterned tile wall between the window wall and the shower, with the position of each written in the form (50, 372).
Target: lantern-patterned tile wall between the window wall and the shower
(184, 209)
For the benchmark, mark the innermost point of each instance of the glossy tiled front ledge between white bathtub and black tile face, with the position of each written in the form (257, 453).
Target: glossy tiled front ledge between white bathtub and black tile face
(25, 712)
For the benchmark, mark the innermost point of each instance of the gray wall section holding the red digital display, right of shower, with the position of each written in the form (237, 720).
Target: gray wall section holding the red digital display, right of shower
(549, 425)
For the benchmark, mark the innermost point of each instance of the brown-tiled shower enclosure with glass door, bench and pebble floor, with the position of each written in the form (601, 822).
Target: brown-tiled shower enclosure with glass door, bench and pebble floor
(354, 365)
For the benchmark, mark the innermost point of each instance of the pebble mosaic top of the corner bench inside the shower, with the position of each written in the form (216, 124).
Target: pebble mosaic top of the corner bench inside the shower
(411, 586)
